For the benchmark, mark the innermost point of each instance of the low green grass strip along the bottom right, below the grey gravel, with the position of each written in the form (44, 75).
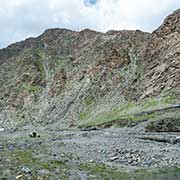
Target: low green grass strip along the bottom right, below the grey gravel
(105, 172)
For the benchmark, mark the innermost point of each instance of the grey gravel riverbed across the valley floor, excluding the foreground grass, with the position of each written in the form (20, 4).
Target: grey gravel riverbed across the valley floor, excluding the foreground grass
(122, 148)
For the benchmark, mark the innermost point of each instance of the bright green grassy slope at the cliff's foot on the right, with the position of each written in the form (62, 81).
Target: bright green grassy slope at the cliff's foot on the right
(130, 113)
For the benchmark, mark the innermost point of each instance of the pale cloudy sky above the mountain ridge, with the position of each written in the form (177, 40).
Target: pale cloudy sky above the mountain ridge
(21, 19)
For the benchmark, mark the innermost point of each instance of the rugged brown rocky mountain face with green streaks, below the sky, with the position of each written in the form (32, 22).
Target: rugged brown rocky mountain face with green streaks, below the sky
(67, 77)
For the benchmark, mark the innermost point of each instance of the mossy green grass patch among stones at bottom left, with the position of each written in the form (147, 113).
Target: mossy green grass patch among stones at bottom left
(26, 158)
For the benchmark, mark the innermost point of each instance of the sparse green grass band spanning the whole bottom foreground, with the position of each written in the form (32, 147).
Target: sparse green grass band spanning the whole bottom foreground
(25, 159)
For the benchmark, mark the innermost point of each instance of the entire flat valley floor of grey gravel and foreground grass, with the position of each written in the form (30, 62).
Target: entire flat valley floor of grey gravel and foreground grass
(113, 153)
